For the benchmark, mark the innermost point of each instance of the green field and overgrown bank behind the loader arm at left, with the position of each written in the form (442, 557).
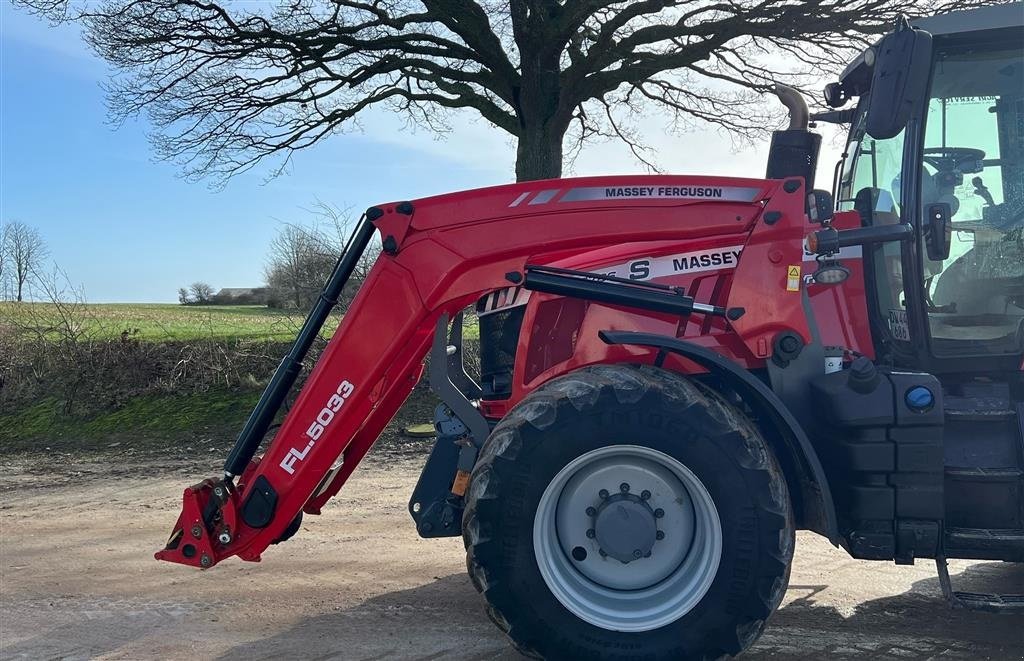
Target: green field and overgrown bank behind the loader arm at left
(103, 392)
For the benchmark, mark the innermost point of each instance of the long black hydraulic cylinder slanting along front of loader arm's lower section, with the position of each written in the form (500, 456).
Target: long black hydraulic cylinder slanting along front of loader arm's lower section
(284, 378)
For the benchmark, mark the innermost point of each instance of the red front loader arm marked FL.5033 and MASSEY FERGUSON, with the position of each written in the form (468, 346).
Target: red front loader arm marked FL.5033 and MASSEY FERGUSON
(442, 255)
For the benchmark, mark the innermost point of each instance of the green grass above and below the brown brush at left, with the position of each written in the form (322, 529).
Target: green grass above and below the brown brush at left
(153, 419)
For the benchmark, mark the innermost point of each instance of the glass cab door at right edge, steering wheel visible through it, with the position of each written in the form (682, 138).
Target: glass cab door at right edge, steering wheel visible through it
(973, 161)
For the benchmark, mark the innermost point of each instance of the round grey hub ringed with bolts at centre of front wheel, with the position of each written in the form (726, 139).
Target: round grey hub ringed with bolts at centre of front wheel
(625, 527)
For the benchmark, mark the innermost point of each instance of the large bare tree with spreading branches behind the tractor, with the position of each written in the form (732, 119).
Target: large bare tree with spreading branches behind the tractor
(231, 84)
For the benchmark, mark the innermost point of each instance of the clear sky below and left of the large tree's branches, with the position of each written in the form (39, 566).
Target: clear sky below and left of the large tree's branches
(126, 229)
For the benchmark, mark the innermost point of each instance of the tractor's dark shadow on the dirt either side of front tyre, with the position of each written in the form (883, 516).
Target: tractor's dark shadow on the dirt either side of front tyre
(445, 620)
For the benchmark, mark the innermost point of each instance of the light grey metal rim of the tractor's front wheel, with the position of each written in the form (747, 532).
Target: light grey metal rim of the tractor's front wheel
(627, 539)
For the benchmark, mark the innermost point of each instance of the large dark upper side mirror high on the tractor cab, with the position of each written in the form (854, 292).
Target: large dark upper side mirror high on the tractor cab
(903, 64)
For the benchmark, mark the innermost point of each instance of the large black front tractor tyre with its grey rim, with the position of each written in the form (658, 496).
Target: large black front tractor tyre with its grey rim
(628, 513)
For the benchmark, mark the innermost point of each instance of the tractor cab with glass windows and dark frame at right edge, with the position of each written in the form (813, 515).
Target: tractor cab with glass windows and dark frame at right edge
(937, 143)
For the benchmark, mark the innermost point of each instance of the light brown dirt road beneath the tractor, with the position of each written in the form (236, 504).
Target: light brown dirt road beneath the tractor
(78, 581)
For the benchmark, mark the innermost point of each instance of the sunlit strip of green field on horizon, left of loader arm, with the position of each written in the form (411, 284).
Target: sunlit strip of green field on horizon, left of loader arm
(157, 323)
